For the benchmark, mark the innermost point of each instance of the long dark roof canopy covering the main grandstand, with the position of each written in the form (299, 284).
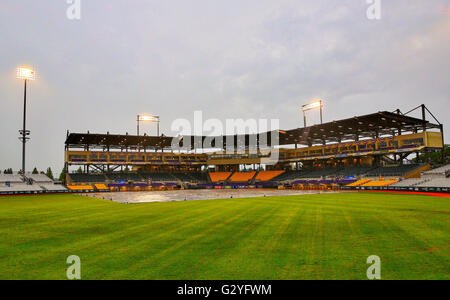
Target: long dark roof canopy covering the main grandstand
(367, 126)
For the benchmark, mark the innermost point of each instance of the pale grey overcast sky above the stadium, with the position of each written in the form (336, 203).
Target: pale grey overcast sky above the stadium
(230, 59)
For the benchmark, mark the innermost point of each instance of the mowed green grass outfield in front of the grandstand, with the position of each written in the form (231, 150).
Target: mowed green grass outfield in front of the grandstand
(296, 237)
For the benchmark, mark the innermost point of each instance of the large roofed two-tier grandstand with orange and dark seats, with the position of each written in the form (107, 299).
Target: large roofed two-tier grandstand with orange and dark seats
(372, 150)
